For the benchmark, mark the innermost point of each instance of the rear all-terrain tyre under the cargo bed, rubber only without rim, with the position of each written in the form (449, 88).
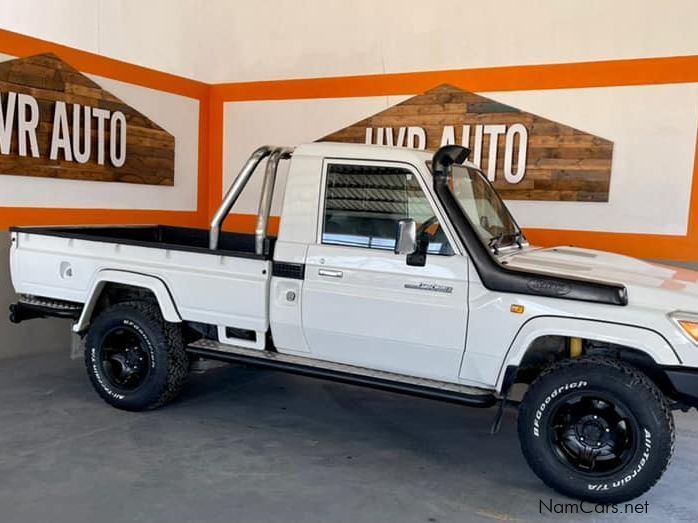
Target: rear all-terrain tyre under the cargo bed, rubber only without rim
(168, 363)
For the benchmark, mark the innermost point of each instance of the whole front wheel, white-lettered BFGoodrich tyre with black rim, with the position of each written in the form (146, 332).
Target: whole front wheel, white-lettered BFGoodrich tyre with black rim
(596, 429)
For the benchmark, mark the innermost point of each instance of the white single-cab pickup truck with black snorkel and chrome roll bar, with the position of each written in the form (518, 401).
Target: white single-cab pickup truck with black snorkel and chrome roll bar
(397, 270)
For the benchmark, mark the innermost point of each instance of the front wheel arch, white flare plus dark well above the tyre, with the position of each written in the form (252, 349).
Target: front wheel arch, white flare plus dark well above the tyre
(646, 347)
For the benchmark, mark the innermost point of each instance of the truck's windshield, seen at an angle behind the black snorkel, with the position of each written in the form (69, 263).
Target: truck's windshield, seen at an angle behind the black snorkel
(483, 207)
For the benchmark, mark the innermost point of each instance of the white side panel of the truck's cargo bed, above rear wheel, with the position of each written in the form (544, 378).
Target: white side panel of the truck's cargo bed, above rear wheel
(209, 288)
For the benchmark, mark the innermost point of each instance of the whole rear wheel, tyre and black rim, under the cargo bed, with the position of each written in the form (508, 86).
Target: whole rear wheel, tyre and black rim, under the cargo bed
(134, 358)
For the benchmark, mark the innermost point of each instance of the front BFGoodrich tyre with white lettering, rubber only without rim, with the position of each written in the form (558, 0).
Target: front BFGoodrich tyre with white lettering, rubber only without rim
(633, 391)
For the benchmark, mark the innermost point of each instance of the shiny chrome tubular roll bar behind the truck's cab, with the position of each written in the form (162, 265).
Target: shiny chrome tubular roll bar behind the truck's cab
(275, 155)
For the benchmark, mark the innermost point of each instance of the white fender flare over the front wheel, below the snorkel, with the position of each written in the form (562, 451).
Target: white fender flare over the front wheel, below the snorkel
(648, 341)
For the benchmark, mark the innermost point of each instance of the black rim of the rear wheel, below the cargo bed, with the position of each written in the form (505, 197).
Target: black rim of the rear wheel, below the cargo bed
(124, 360)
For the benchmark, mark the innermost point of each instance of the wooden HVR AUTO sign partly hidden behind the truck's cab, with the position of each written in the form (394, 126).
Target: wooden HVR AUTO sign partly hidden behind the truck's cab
(527, 157)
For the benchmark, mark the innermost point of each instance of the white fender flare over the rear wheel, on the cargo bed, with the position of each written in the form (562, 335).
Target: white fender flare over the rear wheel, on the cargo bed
(132, 279)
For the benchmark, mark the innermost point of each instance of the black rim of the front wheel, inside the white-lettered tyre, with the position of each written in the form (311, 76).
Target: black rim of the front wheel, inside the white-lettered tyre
(593, 434)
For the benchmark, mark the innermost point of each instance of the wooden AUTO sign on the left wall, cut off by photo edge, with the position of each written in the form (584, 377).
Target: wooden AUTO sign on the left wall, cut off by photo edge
(55, 122)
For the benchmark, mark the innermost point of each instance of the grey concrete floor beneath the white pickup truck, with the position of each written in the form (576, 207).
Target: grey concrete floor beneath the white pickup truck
(255, 446)
